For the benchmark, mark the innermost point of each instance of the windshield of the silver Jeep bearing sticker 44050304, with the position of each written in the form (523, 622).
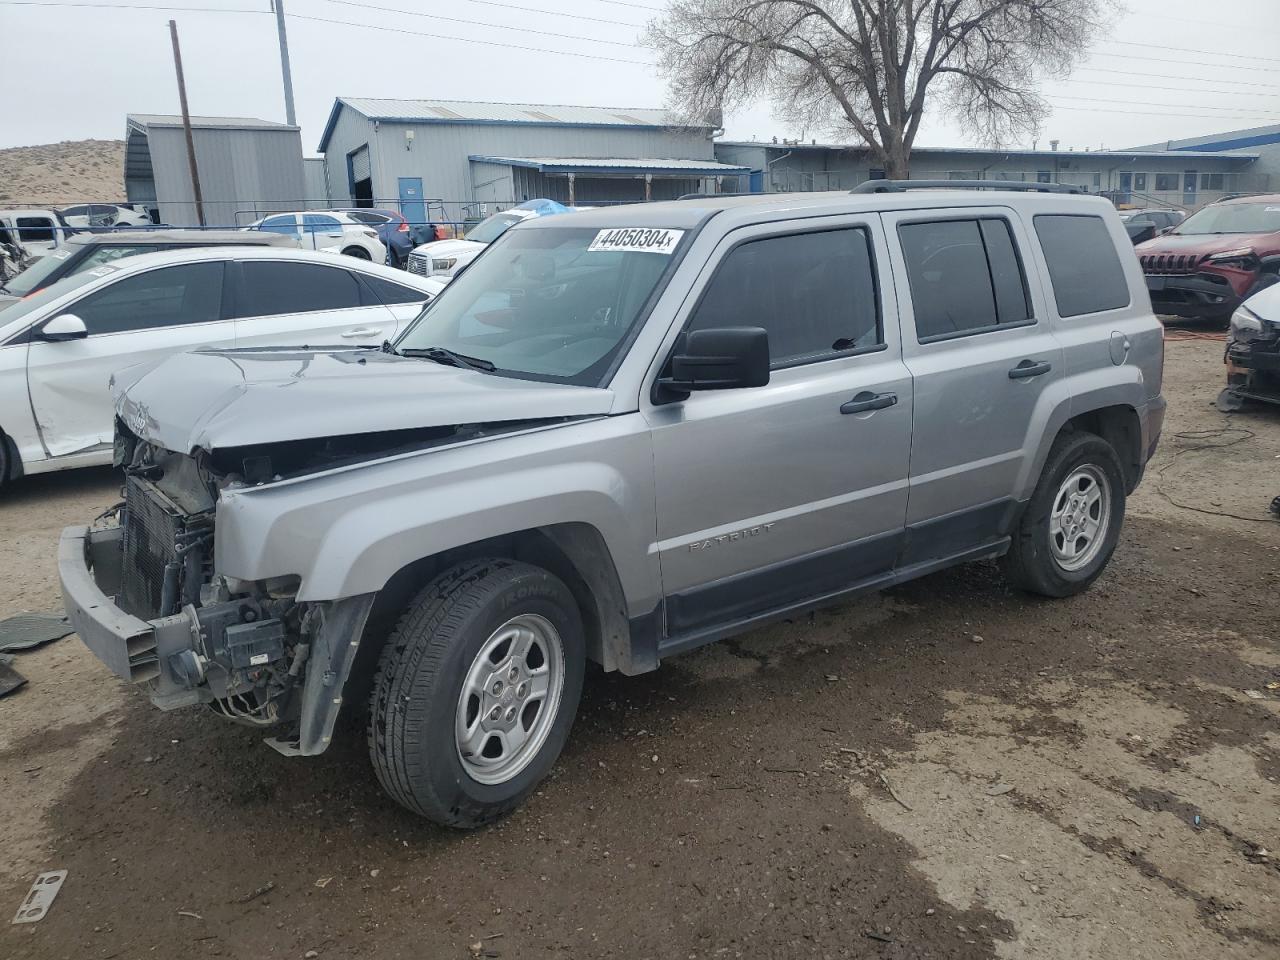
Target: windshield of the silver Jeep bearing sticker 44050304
(547, 304)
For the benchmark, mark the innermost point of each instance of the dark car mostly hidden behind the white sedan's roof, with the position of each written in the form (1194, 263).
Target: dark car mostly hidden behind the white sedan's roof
(89, 250)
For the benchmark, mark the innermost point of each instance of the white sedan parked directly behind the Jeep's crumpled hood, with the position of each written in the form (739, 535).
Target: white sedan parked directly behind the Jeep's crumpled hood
(61, 348)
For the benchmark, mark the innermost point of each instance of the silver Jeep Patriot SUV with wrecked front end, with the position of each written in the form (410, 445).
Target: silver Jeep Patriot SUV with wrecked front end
(618, 436)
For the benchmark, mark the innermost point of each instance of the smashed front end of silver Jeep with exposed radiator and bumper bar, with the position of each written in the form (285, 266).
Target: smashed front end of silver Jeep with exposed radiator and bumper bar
(144, 596)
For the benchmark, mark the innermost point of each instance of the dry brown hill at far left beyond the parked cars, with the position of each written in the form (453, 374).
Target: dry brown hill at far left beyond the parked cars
(60, 175)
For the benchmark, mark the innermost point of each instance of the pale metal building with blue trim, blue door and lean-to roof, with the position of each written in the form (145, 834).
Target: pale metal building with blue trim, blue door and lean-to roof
(452, 161)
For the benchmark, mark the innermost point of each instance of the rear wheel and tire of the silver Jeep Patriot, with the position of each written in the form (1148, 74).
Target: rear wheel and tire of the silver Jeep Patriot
(1039, 560)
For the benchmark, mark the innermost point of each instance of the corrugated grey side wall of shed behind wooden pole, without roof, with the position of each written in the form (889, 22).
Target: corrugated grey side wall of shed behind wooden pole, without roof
(244, 173)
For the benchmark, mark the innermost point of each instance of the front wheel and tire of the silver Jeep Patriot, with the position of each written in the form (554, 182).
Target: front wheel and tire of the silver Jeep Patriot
(449, 646)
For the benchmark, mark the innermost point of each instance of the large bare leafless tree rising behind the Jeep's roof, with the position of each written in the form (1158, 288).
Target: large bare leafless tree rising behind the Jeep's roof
(874, 66)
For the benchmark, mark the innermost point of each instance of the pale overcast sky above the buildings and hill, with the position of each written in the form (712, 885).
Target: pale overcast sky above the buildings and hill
(1167, 71)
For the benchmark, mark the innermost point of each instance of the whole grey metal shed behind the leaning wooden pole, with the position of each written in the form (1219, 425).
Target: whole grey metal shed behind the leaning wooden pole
(246, 166)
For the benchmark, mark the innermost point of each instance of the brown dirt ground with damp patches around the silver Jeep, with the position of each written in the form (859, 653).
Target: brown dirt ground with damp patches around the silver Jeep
(949, 770)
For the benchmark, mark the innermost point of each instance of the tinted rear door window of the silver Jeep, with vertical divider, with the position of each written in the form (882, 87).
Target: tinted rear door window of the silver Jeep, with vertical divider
(966, 277)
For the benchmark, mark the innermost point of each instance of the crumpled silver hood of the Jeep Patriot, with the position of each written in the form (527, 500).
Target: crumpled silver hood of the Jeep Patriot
(220, 399)
